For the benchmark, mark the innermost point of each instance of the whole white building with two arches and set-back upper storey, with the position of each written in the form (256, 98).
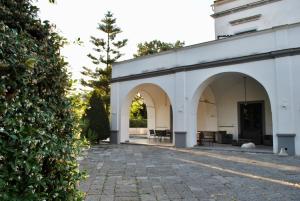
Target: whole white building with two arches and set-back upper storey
(246, 82)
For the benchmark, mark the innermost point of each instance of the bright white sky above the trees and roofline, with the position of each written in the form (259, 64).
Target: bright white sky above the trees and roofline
(140, 21)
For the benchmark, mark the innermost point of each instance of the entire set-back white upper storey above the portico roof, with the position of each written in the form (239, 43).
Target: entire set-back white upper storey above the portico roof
(234, 17)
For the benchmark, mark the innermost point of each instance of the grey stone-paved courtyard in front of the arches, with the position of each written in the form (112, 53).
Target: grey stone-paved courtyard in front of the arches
(146, 173)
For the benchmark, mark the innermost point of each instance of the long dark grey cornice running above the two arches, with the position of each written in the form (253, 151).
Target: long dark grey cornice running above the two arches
(212, 64)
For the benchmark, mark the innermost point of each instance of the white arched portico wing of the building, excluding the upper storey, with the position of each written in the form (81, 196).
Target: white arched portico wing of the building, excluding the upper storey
(205, 85)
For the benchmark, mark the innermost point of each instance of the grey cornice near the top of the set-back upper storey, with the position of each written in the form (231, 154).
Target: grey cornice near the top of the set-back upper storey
(243, 7)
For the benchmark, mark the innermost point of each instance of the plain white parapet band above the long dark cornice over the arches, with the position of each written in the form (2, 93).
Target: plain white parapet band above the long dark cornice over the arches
(264, 43)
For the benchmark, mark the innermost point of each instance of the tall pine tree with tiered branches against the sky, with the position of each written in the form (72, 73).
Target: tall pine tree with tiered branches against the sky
(107, 52)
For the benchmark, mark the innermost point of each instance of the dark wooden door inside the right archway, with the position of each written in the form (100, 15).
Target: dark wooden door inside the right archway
(251, 121)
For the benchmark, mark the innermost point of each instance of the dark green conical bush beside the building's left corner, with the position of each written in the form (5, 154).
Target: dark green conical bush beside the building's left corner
(96, 120)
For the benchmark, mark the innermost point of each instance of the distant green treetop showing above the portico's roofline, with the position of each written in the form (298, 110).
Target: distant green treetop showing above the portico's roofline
(156, 46)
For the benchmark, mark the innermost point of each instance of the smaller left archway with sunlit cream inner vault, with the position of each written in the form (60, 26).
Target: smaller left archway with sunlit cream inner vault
(159, 110)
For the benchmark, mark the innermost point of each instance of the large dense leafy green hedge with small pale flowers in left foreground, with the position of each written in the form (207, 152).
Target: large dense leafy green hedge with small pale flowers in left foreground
(38, 148)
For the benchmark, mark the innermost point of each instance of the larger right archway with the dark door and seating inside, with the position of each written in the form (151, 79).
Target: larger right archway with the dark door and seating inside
(236, 104)
